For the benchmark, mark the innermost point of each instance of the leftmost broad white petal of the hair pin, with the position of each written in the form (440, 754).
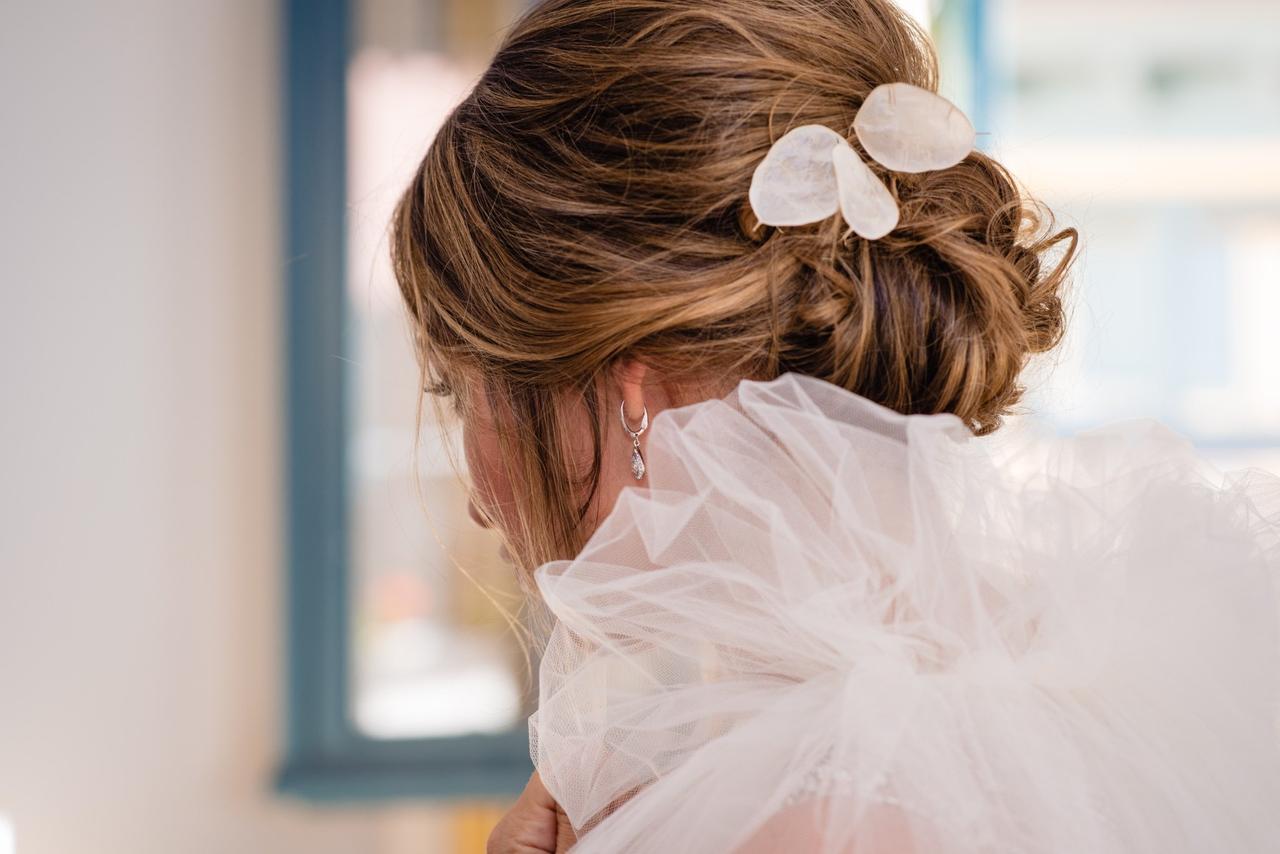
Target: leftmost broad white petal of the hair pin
(796, 184)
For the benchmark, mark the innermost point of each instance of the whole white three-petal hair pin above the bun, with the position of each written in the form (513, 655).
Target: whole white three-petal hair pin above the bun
(812, 172)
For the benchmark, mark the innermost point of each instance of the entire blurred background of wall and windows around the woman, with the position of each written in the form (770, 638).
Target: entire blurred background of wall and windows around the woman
(235, 608)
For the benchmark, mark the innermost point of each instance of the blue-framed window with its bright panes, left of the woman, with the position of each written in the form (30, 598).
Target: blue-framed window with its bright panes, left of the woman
(404, 677)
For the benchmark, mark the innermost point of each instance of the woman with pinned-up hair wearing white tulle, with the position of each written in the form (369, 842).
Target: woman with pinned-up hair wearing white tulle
(725, 299)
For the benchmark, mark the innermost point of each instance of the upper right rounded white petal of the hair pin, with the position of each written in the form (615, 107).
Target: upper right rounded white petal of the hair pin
(908, 129)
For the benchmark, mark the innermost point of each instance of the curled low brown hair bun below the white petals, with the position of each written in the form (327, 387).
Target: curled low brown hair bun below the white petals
(943, 314)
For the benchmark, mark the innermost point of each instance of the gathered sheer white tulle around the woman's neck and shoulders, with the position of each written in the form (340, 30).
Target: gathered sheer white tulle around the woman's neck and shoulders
(824, 627)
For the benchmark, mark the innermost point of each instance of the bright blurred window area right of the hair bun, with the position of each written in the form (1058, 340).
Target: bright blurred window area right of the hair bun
(1155, 127)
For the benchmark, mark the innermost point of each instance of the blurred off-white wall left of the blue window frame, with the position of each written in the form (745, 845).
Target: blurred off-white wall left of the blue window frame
(140, 519)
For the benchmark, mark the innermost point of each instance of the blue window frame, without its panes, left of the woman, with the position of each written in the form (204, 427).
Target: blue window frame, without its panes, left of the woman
(327, 757)
